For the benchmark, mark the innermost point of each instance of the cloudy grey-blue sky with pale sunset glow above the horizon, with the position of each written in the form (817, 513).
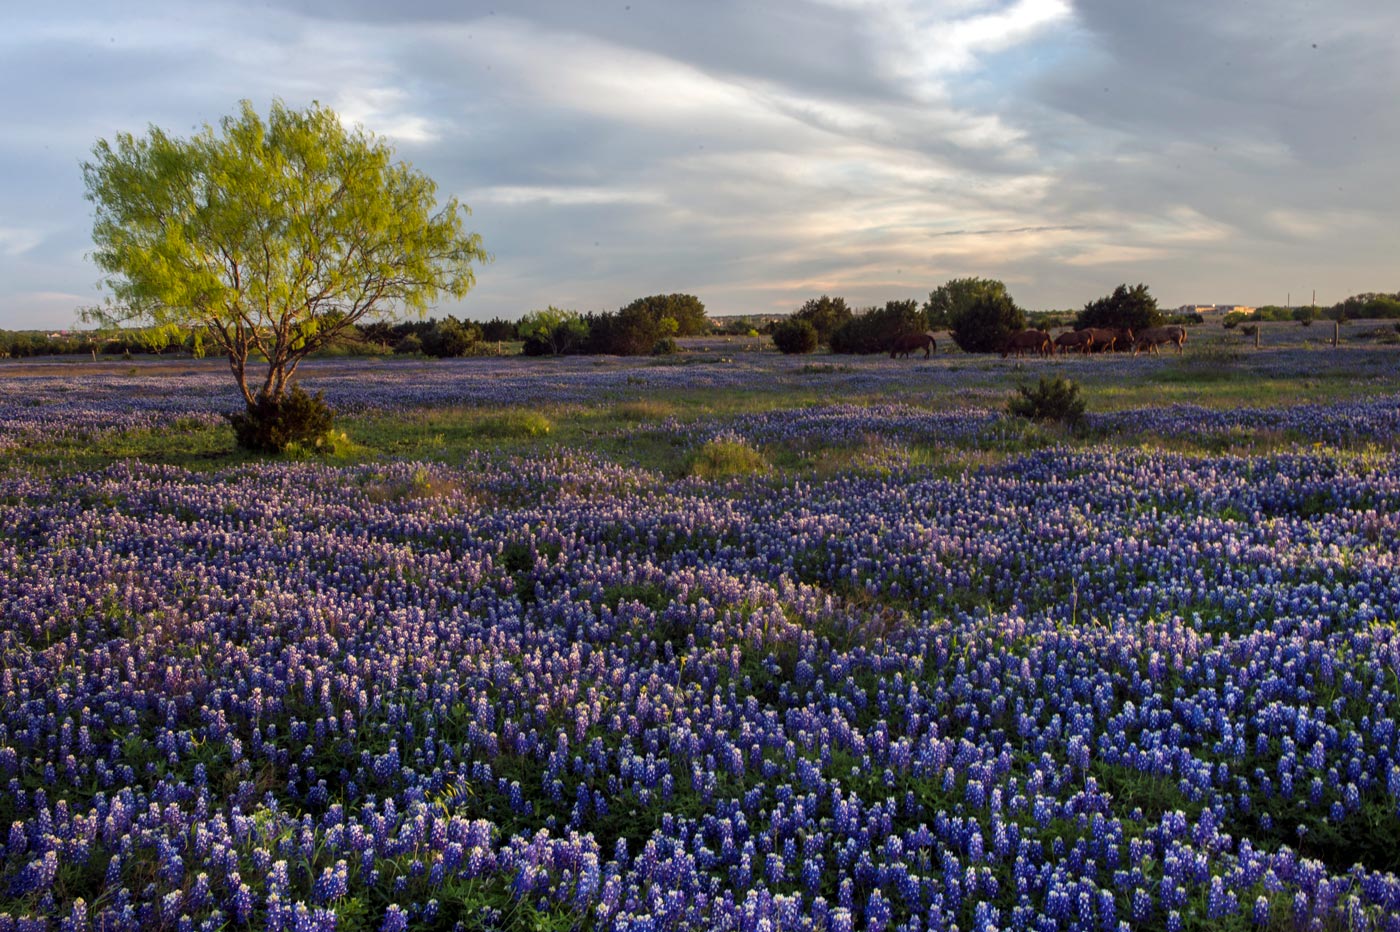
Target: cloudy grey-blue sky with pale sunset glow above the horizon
(759, 153)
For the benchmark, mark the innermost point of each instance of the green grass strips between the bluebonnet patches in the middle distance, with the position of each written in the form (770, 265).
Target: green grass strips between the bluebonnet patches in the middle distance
(1213, 374)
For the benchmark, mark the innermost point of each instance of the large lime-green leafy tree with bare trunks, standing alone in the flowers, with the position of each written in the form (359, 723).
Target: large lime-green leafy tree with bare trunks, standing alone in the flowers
(271, 236)
